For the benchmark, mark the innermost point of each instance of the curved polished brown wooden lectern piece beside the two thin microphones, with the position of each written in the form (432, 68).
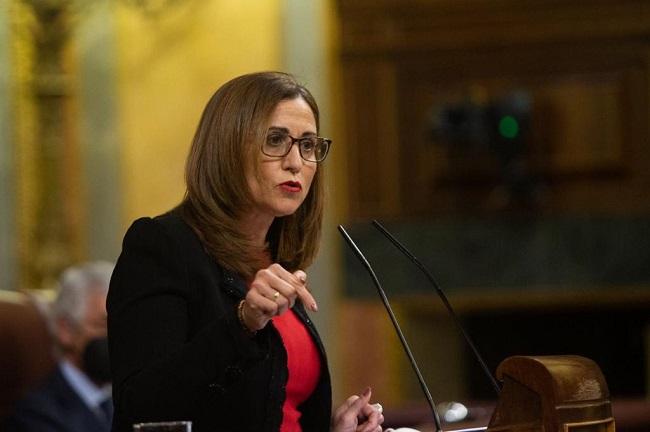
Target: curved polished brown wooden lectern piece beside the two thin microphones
(552, 394)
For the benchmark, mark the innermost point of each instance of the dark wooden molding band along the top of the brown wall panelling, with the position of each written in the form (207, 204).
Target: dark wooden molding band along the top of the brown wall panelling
(392, 26)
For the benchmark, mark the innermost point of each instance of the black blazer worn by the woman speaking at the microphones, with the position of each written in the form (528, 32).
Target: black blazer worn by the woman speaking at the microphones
(177, 349)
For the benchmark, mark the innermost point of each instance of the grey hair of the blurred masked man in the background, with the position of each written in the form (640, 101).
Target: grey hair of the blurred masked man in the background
(76, 284)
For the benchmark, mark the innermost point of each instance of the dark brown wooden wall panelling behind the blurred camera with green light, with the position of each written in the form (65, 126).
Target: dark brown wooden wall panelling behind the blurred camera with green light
(585, 65)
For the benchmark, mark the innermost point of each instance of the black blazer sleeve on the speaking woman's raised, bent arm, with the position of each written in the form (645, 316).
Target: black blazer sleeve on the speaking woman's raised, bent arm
(159, 370)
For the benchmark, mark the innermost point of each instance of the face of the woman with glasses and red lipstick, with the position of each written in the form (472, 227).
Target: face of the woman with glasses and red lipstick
(283, 182)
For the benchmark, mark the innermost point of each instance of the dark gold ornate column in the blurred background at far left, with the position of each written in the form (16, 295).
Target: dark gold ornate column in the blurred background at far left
(50, 87)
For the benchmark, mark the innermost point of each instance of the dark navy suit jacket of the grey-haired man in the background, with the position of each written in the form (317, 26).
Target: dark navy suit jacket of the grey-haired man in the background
(55, 407)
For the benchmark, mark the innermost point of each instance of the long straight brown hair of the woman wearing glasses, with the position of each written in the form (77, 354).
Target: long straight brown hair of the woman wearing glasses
(226, 142)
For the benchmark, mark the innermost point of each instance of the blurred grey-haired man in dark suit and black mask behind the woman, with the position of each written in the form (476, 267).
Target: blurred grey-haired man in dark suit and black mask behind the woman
(76, 396)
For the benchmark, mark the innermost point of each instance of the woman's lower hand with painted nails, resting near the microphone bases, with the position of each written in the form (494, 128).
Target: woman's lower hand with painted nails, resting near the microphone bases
(357, 415)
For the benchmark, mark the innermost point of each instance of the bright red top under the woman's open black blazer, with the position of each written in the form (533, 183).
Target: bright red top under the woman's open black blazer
(303, 362)
